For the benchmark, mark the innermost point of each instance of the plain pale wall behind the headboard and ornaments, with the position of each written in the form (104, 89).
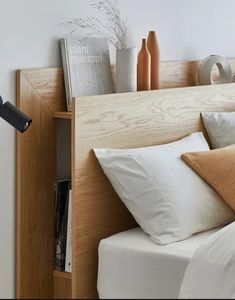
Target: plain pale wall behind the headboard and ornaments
(29, 33)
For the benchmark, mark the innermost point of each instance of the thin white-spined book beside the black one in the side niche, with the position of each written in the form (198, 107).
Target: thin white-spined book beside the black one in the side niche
(68, 256)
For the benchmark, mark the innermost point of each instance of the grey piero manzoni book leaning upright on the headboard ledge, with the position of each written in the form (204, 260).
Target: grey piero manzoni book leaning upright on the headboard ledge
(86, 66)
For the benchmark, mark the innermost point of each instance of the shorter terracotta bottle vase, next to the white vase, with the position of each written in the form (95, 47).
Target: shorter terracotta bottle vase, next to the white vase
(144, 68)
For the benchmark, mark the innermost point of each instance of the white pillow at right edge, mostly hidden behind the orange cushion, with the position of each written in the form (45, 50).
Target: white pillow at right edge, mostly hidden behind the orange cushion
(220, 127)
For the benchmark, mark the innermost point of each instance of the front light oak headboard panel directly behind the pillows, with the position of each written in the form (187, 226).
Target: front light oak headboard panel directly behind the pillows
(124, 121)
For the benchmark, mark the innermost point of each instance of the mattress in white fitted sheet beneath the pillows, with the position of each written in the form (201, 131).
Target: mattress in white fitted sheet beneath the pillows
(131, 266)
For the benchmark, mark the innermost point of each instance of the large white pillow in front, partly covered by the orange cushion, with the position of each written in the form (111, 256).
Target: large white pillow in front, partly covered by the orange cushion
(168, 200)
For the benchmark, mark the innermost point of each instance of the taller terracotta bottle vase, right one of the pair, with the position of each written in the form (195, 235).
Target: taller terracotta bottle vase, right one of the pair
(153, 47)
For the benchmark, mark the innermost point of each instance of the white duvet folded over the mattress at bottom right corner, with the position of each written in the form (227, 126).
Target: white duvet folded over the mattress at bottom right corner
(211, 271)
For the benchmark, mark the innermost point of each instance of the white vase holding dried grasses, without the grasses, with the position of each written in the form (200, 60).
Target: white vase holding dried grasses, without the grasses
(126, 70)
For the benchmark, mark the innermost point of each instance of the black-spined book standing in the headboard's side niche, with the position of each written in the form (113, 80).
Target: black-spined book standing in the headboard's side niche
(61, 192)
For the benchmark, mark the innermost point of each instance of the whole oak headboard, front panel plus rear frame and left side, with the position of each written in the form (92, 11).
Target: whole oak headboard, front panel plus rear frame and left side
(118, 121)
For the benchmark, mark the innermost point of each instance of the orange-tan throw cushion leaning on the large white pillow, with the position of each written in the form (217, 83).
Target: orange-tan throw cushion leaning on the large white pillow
(216, 167)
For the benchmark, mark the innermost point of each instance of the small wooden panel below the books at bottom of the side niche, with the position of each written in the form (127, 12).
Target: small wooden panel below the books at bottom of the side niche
(62, 285)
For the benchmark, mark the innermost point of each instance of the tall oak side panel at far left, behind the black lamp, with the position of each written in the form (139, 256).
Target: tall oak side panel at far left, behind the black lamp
(39, 94)
